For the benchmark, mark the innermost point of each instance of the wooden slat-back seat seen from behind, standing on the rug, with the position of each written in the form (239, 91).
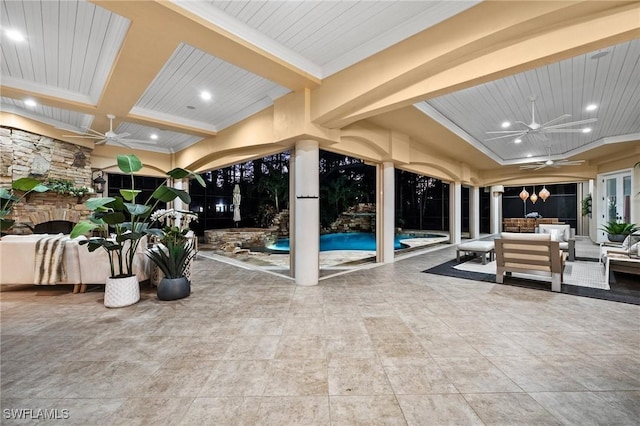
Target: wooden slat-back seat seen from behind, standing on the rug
(529, 254)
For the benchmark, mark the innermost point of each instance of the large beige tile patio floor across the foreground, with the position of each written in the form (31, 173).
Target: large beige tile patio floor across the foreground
(386, 345)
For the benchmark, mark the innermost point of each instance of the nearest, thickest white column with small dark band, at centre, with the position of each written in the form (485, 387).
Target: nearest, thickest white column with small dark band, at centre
(306, 233)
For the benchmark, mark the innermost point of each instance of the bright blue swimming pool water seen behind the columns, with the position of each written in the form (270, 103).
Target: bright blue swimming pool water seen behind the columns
(351, 241)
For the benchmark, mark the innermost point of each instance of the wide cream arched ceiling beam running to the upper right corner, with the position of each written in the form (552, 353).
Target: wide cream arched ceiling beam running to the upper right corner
(489, 41)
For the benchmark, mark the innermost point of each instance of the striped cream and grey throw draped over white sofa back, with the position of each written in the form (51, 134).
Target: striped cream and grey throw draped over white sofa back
(49, 265)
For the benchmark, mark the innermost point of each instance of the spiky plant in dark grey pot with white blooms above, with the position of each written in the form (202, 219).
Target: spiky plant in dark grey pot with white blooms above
(174, 253)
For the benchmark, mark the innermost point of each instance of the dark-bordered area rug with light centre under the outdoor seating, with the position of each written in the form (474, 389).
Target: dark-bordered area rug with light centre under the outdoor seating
(581, 278)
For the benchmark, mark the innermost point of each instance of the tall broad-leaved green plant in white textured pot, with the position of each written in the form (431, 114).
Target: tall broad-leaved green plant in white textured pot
(122, 223)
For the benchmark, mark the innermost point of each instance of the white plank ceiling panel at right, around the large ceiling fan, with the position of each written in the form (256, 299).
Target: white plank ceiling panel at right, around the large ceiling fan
(611, 80)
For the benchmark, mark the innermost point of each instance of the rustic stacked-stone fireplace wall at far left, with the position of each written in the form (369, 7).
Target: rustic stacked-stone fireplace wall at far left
(25, 154)
